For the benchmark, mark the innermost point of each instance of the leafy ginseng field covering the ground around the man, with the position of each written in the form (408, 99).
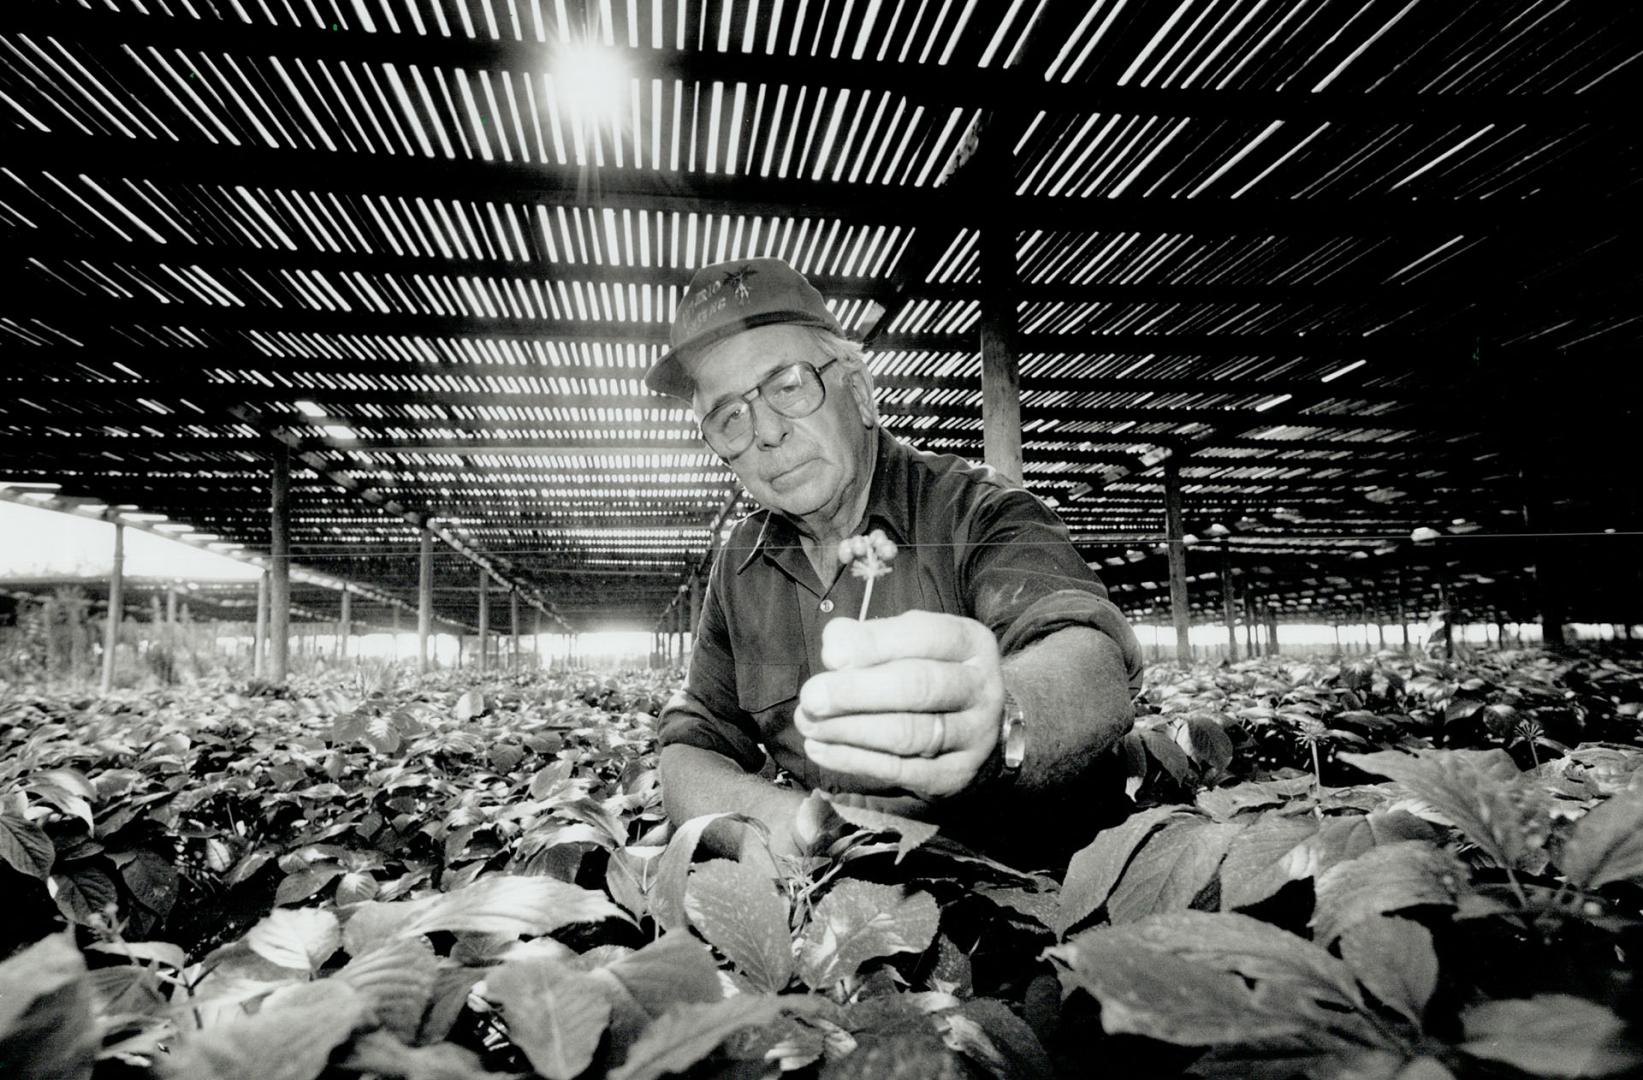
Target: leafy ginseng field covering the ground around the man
(1378, 870)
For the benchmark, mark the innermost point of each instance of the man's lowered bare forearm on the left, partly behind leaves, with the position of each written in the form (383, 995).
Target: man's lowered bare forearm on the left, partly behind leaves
(699, 782)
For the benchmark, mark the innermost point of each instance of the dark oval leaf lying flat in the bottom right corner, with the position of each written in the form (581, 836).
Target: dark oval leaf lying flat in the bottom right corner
(1552, 1035)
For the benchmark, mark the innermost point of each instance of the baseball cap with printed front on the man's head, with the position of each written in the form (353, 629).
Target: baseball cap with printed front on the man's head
(729, 298)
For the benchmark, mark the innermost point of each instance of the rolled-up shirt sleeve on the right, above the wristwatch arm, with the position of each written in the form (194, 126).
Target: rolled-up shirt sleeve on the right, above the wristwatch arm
(1026, 581)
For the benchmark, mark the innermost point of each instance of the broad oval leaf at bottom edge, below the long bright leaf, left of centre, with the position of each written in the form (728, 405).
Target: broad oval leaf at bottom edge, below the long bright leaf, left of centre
(555, 1013)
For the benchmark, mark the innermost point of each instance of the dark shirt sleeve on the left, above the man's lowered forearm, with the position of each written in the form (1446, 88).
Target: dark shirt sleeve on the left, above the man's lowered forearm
(706, 713)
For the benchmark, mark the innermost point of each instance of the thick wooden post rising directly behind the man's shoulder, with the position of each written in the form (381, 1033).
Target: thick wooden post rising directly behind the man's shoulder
(1001, 381)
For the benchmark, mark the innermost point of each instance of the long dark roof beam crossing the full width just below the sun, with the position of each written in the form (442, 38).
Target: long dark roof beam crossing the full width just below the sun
(906, 206)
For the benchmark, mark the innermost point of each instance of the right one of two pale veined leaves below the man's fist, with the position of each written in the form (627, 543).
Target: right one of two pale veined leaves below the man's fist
(860, 921)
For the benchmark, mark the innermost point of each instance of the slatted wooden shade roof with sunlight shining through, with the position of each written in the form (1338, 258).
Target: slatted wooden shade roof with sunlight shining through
(1356, 267)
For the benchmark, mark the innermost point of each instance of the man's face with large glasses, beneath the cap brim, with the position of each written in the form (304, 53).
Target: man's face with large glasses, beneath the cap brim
(806, 468)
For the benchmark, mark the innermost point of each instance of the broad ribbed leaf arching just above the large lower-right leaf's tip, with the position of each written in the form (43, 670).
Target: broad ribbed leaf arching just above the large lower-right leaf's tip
(1389, 879)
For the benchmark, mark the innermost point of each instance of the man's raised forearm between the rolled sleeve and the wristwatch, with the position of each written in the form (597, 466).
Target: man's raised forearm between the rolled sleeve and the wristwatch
(1074, 690)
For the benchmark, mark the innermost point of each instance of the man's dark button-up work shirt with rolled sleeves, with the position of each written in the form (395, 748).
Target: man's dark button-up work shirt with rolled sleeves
(969, 545)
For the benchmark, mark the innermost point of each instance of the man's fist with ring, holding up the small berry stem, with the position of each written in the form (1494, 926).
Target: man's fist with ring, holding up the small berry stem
(911, 701)
